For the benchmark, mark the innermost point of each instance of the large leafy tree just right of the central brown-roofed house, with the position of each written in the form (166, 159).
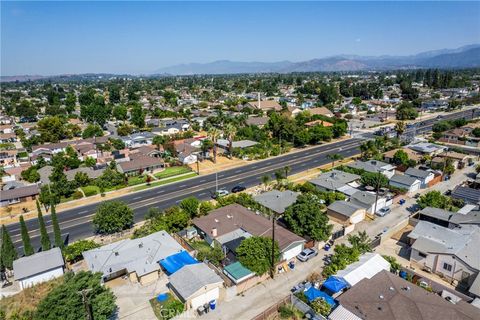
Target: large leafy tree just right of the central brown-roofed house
(305, 218)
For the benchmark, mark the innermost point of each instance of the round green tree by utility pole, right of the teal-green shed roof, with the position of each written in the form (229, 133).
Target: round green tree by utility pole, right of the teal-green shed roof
(255, 253)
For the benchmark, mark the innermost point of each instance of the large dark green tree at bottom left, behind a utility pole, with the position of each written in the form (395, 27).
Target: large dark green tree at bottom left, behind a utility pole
(65, 301)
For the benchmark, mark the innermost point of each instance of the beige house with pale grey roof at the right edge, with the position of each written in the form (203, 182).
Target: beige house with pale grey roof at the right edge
(450, 253)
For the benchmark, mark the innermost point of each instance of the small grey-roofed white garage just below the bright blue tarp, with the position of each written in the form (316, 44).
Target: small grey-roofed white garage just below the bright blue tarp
(196, 285)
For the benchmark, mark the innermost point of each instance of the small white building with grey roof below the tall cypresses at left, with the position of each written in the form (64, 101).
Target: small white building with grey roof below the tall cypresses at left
(39, 267)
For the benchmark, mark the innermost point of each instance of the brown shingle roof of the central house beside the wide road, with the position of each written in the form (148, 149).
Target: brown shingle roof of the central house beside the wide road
(235, 216)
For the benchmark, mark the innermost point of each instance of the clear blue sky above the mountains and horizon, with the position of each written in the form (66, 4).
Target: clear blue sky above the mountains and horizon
(49, 38)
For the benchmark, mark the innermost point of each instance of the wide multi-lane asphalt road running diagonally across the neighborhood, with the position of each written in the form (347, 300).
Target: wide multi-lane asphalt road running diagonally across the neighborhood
(76, 223)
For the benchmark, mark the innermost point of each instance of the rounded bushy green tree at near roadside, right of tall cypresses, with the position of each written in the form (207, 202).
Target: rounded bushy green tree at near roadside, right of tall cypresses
(112, 216)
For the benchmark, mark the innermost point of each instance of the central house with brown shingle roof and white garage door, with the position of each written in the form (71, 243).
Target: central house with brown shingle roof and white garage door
(234, 221)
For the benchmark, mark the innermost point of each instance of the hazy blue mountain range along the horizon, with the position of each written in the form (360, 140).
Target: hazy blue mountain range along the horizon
(463, 57)
